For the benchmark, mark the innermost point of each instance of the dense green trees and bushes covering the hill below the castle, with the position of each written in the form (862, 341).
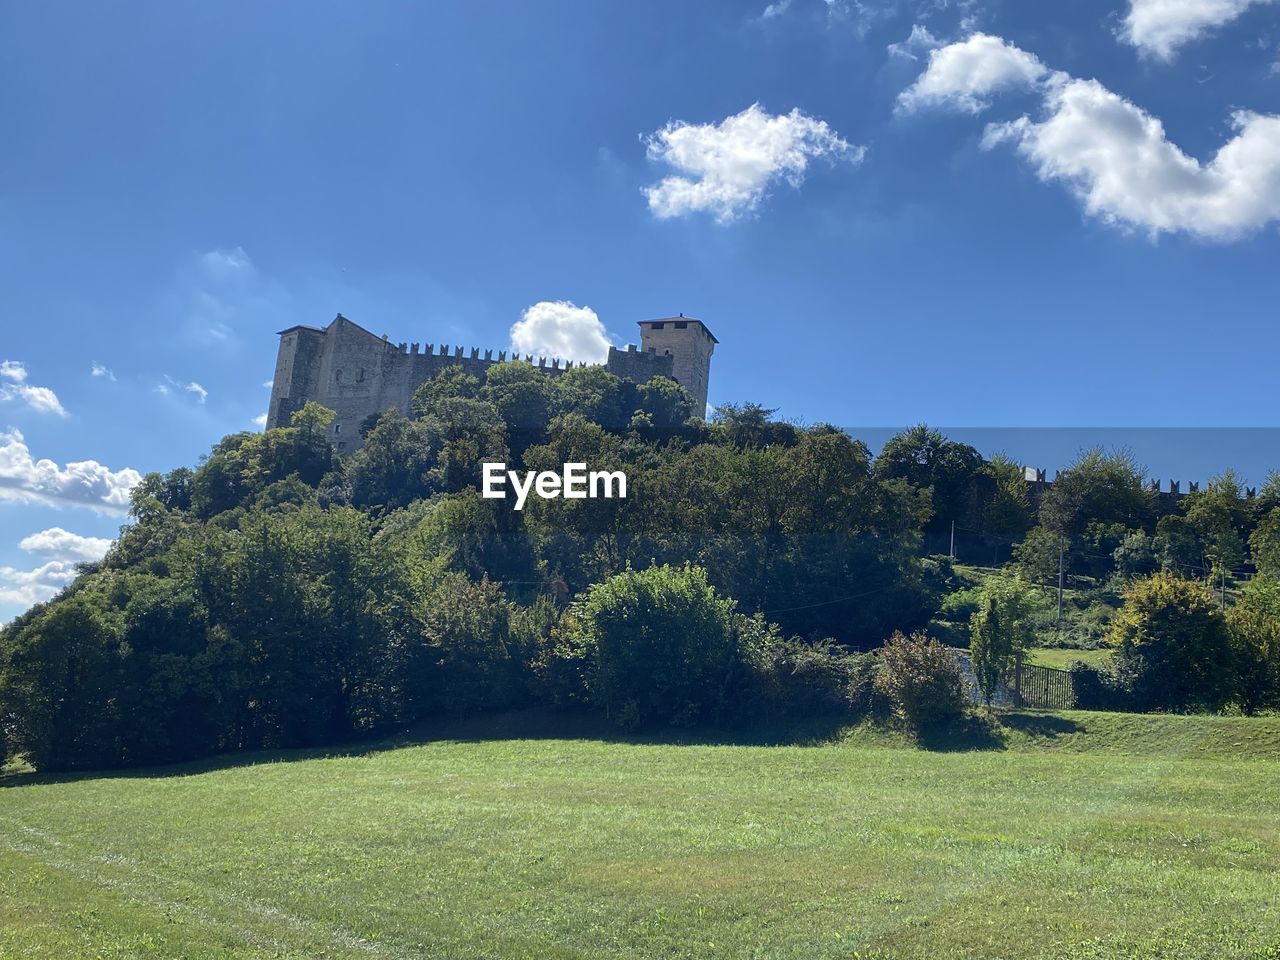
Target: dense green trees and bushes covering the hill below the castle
(281, 595)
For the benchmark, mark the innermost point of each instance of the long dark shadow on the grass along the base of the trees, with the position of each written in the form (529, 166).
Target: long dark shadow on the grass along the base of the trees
(516, 725)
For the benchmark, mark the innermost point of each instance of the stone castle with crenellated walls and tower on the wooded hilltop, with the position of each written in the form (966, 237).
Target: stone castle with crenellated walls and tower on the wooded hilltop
(355, 373)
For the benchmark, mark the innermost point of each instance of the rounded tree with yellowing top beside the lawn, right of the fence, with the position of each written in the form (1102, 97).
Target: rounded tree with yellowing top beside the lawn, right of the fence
(1174, 644)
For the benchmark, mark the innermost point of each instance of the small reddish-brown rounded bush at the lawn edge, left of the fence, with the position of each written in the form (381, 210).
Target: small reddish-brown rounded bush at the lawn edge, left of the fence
(922, 682)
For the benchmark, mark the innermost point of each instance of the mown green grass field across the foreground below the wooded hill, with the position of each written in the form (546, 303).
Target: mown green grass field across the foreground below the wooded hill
(1073, 835)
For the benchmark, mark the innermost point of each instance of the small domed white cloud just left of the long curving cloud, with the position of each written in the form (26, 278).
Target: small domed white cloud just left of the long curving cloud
(967, 75)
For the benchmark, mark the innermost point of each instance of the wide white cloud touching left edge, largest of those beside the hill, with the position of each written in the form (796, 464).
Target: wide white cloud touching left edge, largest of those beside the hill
(80, 484)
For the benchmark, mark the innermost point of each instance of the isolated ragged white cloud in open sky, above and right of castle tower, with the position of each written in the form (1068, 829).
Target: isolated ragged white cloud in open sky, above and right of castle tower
(726, 168)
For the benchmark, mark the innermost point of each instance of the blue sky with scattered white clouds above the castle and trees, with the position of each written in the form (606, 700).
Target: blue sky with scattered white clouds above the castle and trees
(972, 213)
